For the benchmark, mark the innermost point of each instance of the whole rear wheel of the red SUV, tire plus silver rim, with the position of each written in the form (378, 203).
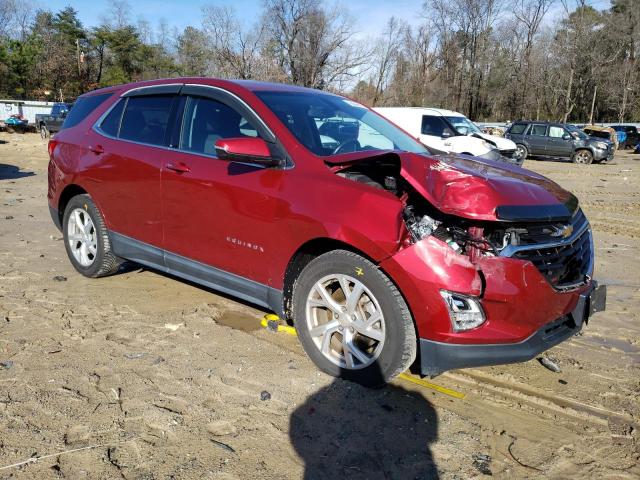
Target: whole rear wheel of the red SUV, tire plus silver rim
(96, 258)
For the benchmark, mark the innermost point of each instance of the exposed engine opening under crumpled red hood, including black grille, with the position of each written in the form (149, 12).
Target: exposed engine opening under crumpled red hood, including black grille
(566, 266)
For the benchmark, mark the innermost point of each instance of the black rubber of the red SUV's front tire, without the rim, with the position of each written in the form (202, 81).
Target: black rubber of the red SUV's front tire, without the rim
(399, 348)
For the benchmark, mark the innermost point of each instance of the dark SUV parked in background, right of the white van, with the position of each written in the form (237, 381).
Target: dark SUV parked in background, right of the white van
(558, 140)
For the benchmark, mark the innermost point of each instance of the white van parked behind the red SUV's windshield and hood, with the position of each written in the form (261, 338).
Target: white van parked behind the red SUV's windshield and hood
(450, 132)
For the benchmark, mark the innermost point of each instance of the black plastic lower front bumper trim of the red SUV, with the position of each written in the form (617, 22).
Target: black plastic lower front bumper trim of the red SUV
(437, 357)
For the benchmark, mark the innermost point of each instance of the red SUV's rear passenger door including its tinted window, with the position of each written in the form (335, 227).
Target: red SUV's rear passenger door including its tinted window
(131, 148)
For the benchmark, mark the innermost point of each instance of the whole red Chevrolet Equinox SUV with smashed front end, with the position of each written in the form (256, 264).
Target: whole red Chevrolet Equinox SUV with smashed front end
(315, 207)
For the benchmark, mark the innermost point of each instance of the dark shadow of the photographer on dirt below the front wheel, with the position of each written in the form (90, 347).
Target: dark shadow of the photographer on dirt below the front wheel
(346, 430)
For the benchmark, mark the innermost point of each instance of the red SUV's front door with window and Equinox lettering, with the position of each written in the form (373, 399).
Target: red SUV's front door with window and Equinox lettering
(221, 214)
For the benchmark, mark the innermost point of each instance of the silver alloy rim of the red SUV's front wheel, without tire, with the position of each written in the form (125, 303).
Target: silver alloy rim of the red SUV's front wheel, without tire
(345, 321)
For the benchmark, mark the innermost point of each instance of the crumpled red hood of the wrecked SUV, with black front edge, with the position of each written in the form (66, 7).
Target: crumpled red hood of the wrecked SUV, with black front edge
(480, 189)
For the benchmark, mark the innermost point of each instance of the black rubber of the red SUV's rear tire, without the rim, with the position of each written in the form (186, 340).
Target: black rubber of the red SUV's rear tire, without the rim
(104, 261)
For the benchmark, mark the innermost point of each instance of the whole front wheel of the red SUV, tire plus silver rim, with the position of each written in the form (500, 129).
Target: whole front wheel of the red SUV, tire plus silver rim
(371, 361)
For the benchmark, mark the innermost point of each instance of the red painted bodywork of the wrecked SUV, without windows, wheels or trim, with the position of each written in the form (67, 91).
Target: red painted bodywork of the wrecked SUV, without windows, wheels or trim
(252, 224)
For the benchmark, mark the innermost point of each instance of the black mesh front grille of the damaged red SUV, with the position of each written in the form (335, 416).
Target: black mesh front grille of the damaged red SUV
(564, 265)
